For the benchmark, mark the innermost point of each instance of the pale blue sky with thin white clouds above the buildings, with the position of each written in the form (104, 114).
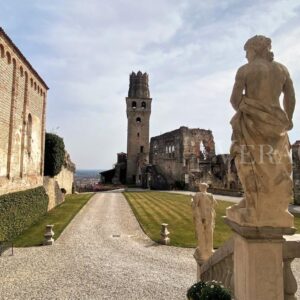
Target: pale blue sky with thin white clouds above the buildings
(85, 51)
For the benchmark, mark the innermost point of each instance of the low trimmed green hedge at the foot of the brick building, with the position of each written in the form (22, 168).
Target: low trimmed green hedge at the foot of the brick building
(21, 209)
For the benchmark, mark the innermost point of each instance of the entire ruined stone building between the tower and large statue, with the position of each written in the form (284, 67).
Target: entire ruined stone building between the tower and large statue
(185, 157)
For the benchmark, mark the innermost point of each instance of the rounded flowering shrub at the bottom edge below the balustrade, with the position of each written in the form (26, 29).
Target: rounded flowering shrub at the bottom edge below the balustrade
(211, 290)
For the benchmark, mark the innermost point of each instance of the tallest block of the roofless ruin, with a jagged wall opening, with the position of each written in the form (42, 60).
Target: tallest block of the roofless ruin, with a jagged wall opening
(178, 154)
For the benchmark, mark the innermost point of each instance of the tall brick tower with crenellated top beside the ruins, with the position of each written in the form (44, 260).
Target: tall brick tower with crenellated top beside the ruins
(138, 111)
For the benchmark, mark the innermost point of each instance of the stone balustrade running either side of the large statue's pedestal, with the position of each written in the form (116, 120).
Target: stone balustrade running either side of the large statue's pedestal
(220, 267)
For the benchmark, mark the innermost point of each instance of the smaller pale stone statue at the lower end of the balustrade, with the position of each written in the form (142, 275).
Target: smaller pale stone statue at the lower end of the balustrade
(204, 218)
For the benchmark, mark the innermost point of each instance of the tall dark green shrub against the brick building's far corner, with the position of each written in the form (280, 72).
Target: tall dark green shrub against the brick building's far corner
(54, 154)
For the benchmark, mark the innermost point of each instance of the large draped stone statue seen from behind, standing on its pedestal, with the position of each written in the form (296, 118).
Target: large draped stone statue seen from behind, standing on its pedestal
(260, 143)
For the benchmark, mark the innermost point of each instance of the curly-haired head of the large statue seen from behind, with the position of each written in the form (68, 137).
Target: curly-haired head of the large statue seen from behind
(258, 46)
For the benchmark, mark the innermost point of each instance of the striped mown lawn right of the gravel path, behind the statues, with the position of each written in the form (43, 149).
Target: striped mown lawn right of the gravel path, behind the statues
(154, 208)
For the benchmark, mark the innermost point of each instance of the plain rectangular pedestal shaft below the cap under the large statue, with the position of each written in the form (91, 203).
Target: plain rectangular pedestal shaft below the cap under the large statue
(258, 272)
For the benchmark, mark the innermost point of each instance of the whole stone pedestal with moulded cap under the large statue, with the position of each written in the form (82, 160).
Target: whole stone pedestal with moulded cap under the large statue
(258, 262)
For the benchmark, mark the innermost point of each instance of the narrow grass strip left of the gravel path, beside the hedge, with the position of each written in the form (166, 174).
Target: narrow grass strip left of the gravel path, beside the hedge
(60, 217)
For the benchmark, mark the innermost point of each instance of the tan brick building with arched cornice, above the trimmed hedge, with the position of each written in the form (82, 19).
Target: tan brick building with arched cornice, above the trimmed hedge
(22, 120)
